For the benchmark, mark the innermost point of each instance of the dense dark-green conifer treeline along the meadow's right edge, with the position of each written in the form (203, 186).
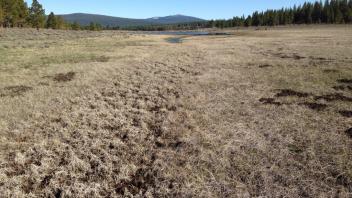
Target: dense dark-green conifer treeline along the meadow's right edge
(330, 12)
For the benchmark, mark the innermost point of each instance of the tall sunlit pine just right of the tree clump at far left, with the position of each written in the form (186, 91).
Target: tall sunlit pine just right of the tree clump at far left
(37, 15)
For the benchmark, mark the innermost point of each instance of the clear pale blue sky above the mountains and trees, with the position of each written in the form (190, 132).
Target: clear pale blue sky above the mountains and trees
(206, 9)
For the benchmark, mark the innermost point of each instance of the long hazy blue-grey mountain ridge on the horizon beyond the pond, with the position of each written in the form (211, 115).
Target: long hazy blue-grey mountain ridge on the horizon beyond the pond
(86, 19)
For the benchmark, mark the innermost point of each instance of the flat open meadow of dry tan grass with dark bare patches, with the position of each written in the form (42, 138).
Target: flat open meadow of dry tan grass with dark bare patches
(116, 114)
